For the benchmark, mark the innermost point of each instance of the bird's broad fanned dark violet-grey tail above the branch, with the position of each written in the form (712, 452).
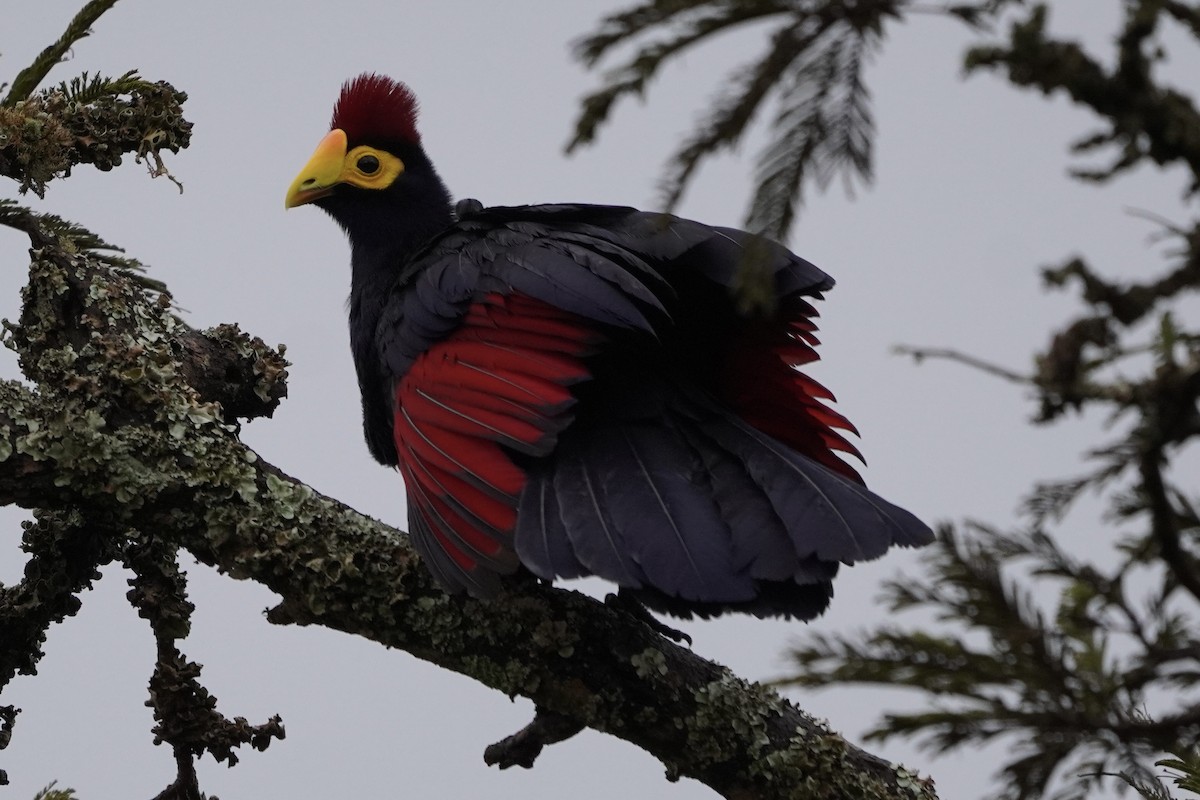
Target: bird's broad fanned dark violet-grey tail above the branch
(699, 512)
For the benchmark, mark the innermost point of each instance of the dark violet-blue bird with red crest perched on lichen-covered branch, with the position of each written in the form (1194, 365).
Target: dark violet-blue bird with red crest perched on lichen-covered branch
(575, 390)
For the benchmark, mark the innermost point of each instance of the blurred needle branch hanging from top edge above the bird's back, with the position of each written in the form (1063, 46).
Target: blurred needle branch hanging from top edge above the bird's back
(813, 64)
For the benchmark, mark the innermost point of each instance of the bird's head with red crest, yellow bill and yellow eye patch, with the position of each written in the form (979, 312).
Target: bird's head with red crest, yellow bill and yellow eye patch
(370, 172)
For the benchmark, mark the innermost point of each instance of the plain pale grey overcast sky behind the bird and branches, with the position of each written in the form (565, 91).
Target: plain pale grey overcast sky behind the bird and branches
(971, 197)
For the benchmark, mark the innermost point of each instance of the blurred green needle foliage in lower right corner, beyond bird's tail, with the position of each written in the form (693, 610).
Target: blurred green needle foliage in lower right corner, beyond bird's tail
(1004, 667)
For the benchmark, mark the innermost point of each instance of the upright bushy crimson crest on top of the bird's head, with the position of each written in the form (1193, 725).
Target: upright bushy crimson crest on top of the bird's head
(375, 107)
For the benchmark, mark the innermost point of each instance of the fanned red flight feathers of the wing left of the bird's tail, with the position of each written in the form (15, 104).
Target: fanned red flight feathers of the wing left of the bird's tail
(495, 387)
